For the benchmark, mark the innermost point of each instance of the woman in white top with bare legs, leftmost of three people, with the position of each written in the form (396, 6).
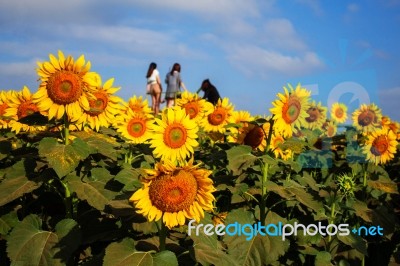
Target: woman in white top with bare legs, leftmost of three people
(153, 80)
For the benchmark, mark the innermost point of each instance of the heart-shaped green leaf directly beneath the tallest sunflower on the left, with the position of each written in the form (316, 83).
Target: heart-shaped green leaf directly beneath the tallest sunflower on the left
(63, 158)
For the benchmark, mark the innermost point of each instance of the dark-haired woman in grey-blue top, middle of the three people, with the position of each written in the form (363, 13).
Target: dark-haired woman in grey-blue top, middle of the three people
(174, 84)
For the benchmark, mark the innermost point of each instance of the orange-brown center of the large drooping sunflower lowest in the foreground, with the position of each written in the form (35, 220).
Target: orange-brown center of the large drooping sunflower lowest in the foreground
(173, 193)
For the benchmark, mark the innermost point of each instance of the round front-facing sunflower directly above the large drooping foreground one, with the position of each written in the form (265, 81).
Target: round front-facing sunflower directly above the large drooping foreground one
(174, 135)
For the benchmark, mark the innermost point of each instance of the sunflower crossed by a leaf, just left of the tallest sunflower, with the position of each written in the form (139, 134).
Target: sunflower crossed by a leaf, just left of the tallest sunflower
(20, 105)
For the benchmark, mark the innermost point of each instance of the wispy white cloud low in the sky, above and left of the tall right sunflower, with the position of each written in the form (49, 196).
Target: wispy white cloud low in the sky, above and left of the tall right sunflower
(255, 60)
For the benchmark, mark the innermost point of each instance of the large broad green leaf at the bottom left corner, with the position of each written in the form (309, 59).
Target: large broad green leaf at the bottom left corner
(28, 244)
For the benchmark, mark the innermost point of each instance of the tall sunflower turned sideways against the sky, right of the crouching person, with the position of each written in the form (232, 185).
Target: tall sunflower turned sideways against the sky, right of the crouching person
(290, 110)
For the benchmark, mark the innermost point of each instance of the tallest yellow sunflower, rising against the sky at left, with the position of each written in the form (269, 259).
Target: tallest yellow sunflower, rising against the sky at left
(64, 87)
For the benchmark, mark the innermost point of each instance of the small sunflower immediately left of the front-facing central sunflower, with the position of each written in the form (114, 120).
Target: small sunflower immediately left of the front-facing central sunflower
(135, 127)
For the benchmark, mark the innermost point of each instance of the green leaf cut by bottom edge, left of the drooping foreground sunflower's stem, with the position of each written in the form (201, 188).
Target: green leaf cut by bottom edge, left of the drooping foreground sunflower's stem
(124, 253)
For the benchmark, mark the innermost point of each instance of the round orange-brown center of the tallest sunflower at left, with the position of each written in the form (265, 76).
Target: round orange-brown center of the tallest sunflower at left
(64, 87)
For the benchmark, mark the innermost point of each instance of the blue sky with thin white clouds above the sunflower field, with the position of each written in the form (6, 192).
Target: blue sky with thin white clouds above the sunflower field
(341, 50)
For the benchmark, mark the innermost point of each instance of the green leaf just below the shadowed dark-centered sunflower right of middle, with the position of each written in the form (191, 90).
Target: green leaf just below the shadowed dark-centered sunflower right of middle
(240, 158)
